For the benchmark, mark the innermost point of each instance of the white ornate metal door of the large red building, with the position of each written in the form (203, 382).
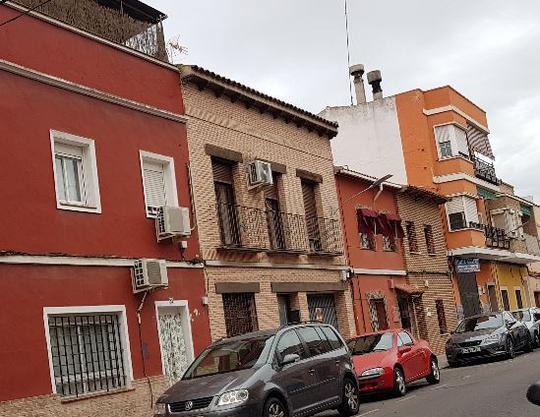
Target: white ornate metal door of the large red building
(174, 352)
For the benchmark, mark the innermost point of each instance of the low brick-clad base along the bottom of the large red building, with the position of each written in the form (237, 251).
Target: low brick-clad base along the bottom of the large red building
(133, 403)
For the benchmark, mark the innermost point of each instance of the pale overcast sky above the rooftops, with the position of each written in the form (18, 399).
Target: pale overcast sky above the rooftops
(489, 50)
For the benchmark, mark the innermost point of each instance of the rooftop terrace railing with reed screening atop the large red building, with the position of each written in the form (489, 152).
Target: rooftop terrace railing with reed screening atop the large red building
(129, 22)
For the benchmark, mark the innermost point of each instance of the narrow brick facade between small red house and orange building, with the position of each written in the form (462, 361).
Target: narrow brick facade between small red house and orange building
(432, 308)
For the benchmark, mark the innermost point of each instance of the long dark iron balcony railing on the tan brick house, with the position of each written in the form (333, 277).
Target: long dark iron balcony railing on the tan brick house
(255, 229)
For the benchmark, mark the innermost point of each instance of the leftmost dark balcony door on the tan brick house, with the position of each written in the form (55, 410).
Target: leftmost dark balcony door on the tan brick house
(226, 209)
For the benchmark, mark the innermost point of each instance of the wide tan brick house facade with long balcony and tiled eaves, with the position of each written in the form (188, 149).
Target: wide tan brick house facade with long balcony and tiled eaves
(273, 252)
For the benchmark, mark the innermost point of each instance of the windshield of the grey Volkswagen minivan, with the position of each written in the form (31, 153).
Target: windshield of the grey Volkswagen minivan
(231, 356)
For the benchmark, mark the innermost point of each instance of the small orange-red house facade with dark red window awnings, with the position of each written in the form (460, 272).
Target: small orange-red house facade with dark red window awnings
(373, 243)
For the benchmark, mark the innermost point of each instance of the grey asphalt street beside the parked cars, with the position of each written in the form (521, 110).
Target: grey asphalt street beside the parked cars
(491, 389)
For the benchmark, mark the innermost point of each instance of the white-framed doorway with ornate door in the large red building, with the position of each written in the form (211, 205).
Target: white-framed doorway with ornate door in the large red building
(175, 338)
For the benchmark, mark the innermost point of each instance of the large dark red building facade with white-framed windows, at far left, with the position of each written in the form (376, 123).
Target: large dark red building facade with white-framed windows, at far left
(93, 141)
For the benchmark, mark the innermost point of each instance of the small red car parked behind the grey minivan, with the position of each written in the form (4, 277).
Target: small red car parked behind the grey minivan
(390, 359)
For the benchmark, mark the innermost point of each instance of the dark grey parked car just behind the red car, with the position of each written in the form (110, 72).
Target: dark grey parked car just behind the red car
(486, 336)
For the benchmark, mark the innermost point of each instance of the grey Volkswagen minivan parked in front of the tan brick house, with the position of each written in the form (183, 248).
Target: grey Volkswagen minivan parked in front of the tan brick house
(298, 369)
